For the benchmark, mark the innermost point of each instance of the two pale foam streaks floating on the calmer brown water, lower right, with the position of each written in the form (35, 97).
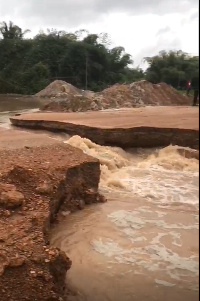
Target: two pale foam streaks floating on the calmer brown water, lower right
(152, 255)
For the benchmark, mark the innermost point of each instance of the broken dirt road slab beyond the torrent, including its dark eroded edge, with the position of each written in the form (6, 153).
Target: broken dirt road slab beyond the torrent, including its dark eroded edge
(142, 127)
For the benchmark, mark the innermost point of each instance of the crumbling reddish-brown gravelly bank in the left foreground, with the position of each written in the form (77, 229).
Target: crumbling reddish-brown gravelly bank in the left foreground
(35, 183)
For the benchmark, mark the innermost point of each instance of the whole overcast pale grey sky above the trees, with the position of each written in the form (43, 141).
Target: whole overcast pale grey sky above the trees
(143, 27)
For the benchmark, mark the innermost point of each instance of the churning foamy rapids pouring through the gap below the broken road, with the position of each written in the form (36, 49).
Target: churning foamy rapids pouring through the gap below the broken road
(163, 177)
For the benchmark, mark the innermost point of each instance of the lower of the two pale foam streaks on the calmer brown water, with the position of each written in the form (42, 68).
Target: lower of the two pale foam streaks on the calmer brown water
(154, 258)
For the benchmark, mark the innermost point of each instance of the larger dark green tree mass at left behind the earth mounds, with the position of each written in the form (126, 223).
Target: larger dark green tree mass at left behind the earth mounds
(81, 58)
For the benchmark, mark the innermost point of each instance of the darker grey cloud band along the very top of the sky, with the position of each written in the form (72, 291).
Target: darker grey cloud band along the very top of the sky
(75, 12)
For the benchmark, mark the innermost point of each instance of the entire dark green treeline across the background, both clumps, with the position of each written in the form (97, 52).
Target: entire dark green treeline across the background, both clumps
(83, 59)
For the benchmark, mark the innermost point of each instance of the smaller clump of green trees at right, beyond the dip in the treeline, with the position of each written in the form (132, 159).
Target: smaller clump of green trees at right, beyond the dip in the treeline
(174, 68)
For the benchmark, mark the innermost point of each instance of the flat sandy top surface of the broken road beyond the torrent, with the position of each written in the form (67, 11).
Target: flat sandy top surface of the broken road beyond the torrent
(162, 117)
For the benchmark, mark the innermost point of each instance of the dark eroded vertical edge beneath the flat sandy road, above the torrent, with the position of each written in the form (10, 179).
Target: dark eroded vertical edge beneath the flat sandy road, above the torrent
(136, 137)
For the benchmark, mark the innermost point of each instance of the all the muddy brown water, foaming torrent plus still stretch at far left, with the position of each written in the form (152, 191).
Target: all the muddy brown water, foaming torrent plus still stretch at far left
(143, 243)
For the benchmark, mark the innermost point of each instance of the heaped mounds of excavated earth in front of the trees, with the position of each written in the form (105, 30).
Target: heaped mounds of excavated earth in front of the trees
(64, 97)
